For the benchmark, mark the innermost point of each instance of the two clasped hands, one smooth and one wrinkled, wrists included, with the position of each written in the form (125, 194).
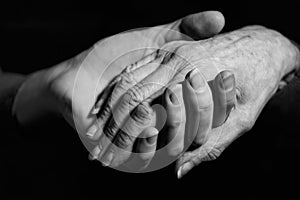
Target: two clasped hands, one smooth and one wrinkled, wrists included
(211, 90)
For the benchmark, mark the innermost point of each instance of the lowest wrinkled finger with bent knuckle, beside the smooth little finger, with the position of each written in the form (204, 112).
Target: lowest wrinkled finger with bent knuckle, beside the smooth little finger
(117, 153)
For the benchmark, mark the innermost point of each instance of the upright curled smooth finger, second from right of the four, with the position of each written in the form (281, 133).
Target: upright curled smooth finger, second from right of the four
(199, 105)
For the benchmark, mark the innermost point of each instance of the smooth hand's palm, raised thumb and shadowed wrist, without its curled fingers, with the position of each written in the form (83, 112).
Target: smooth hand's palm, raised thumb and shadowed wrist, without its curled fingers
(71, 87)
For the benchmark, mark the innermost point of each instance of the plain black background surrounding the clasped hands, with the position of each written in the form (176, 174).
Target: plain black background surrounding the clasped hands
(51, 161)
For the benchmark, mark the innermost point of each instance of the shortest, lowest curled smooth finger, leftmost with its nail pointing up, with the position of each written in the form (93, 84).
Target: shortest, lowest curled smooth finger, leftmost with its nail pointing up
(145, 150)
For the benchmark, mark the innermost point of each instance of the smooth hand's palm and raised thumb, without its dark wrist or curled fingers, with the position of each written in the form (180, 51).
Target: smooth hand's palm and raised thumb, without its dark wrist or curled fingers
(77, 82)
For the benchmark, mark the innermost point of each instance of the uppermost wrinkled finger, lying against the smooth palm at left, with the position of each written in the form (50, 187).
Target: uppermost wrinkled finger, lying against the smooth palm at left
(129, 77)
